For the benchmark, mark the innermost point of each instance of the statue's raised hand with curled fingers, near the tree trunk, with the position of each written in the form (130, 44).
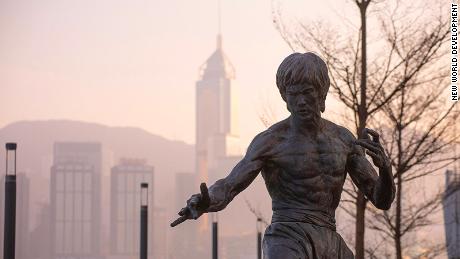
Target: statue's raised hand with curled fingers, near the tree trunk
(374, 149)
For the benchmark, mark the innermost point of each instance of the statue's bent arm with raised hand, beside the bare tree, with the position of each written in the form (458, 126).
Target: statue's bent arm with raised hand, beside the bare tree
(379, 189)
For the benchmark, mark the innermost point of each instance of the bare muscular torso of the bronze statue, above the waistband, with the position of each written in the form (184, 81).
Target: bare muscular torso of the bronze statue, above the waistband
(303, 172)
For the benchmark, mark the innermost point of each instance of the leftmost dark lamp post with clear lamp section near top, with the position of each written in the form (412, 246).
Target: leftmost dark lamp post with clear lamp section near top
(10, 202)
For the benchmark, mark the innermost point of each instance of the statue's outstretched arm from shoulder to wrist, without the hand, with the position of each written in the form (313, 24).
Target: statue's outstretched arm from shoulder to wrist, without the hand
(224, 190)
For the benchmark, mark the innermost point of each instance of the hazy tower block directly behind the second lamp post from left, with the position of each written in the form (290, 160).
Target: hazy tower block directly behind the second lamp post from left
(126, 179)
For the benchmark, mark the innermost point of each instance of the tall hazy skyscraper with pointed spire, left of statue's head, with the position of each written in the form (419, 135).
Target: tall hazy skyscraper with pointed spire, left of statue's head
(216, 116)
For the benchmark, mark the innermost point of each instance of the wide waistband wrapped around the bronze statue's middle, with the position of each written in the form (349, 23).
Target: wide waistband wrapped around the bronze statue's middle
(314, 217)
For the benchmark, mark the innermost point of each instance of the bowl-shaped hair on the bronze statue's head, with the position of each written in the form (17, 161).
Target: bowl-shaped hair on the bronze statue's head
(300, 68)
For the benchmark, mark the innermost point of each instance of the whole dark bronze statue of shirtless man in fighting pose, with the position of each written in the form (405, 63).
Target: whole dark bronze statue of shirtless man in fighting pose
(304, 161)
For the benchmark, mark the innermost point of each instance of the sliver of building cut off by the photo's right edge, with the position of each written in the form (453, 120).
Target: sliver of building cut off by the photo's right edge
(451, 207)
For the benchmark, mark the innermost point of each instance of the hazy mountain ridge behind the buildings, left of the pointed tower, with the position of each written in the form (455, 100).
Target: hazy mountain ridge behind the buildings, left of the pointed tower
(35, 143)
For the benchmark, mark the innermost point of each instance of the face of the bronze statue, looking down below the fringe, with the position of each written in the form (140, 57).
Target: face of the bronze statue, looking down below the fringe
(303, 102)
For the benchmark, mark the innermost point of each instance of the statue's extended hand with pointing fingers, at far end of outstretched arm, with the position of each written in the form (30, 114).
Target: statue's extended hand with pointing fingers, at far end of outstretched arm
(196, 206)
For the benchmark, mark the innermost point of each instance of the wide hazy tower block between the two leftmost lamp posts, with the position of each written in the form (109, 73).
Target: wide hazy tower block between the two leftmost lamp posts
(76, 201)
